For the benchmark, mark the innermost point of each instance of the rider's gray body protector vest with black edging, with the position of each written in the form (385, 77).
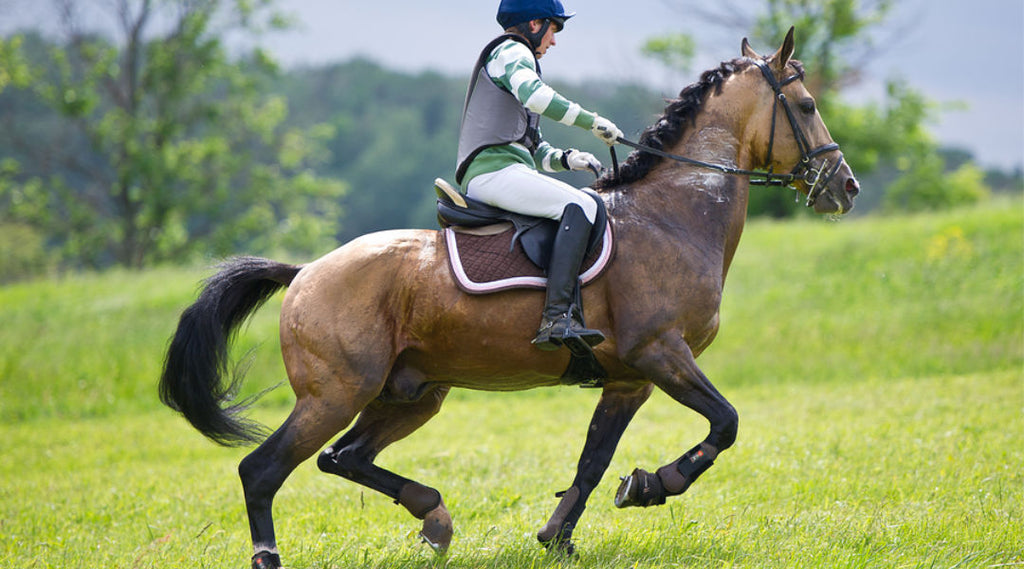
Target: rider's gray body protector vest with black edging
(492, 115)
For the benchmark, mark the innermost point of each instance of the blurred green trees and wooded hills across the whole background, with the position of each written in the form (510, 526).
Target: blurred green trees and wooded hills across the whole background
(160, 147)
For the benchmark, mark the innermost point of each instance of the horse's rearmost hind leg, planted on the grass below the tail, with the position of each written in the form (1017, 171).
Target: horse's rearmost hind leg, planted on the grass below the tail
(311, 425)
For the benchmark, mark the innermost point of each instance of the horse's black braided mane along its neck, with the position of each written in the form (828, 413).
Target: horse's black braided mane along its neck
(679, 115)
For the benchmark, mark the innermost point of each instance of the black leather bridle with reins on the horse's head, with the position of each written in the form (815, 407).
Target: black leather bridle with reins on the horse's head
(817, 179)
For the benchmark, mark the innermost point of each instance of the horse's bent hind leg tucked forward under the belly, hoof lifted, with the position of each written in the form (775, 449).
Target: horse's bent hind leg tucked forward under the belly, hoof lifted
(380, 425)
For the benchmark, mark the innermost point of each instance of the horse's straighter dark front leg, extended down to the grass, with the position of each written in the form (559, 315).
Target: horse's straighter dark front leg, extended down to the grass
(615, 411)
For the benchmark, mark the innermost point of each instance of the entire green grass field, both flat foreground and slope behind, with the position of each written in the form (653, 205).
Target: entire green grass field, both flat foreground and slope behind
(877, 365)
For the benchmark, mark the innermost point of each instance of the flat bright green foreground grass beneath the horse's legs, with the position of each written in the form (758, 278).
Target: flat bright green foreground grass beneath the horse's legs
(916, 473)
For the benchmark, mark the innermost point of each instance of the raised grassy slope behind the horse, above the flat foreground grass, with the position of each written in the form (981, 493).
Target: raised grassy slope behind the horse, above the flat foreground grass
(806, 301)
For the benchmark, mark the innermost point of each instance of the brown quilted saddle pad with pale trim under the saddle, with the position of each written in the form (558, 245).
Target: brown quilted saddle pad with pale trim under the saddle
(485, 264)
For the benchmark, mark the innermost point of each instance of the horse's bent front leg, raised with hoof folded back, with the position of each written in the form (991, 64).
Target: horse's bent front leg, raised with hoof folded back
(670, 365)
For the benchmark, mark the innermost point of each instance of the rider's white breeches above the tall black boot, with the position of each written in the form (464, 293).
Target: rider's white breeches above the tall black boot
(522, 190)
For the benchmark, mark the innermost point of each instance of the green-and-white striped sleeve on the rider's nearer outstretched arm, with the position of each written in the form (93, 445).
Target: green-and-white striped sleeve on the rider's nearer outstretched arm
(511, 65)
